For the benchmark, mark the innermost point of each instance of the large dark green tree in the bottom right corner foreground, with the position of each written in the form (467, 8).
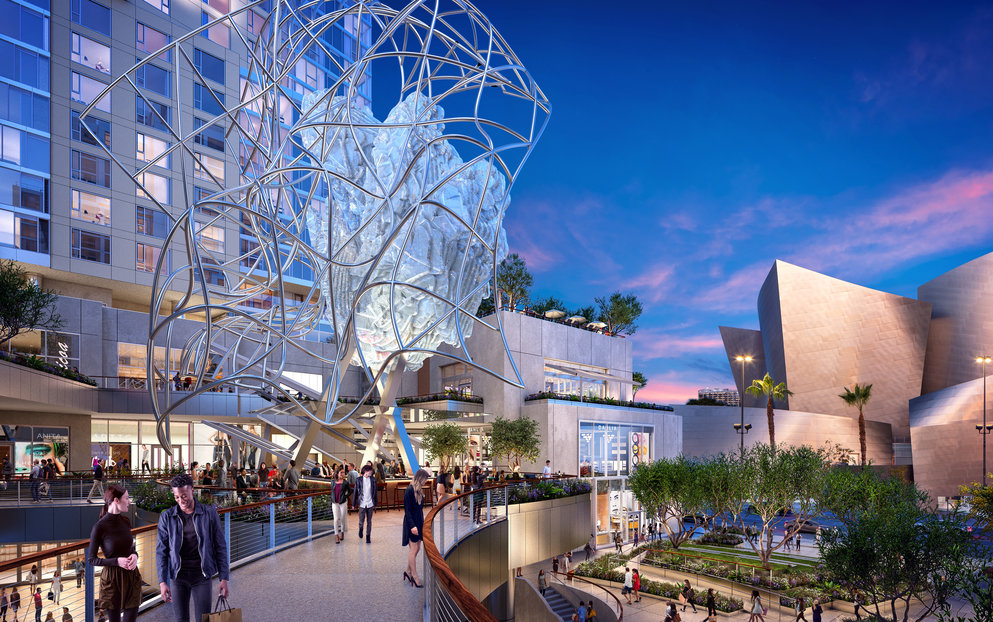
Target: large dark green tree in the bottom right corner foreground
(893, 546)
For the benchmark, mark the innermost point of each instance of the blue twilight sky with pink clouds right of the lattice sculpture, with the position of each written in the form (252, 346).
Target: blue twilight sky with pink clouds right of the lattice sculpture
(693, 143)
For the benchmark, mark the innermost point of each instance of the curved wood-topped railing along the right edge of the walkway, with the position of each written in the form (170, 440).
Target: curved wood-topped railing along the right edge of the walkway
(463, 598)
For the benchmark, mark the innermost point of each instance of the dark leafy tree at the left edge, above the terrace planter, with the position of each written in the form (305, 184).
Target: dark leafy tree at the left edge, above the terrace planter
(24, 305)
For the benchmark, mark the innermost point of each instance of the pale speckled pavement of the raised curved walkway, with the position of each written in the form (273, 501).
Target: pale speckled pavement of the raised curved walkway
(320, 580)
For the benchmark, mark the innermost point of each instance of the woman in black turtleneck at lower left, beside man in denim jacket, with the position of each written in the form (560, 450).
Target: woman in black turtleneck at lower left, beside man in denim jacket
(120, 581)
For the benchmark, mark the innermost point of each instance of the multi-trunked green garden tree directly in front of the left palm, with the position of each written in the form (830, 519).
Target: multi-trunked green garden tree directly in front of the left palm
(772, 481)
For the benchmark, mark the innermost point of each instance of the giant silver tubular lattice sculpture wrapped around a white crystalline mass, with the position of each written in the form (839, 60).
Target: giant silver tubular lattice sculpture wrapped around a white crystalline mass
(393, 228)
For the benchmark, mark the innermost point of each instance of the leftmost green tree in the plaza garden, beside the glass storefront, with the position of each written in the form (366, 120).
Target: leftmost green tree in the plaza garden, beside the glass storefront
(670, 489)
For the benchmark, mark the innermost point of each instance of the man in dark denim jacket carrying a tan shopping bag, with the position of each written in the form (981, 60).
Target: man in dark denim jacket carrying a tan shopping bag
(191, 549)
